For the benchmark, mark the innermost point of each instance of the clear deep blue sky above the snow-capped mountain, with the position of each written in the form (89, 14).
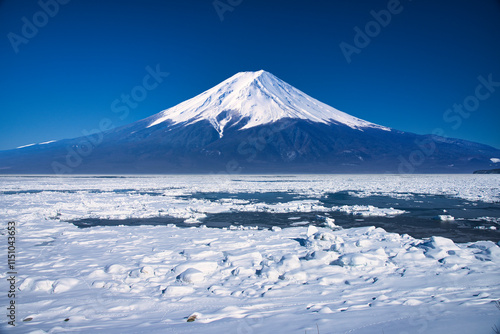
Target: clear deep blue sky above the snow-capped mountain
(63, 79)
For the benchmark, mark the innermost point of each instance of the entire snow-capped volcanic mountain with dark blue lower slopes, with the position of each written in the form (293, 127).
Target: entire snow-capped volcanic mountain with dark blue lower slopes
(252, 122)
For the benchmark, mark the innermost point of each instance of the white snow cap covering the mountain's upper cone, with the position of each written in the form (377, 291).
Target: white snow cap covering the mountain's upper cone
(255, 98)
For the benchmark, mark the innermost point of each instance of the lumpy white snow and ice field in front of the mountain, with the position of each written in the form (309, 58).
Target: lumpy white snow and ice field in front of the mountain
(303, 279)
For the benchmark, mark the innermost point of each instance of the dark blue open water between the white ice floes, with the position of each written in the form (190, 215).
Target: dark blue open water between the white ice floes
(420, 221)
